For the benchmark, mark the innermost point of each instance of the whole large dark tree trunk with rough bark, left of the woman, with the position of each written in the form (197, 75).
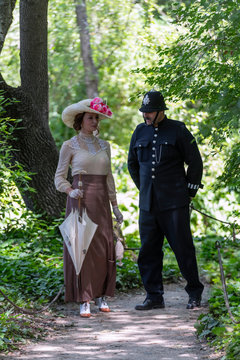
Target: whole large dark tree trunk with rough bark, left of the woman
(35, 147)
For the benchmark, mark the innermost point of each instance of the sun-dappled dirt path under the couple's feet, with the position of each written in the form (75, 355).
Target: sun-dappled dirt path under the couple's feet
(124, 333)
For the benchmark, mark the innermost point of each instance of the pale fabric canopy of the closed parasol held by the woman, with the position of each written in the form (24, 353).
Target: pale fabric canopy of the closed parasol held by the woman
(77, 232)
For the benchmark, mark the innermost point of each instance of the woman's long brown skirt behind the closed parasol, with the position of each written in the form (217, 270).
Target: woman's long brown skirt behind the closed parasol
(98, 273)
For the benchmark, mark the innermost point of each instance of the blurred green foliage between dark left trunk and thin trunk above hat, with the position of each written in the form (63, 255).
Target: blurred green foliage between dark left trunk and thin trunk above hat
(66, 82)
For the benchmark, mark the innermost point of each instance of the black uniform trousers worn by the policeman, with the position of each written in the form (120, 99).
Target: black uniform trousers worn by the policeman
(173, 224)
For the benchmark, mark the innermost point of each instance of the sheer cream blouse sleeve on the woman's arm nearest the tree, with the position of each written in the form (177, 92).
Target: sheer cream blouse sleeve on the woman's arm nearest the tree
(60, 180)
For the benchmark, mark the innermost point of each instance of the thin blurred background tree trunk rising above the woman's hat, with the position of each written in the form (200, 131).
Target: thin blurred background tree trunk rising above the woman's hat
(91, 73)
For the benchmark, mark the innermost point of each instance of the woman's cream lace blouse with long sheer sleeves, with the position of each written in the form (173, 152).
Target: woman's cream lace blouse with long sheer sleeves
(86, 155)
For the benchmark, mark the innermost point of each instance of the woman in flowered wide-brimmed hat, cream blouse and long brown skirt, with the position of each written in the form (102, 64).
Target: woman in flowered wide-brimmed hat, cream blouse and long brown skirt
(90, 161)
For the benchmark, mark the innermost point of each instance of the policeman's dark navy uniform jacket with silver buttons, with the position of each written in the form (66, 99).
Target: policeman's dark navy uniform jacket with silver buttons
(165, 162)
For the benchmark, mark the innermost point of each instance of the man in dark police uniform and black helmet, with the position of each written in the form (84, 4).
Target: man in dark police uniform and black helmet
(158, 151)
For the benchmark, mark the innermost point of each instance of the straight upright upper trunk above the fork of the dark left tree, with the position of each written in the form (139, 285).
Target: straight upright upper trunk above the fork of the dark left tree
(33, 53)
